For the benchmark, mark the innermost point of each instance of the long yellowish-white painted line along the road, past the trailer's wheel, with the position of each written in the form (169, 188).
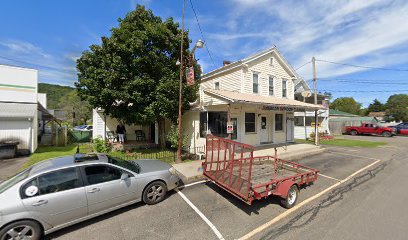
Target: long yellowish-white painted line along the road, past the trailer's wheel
(296, 207)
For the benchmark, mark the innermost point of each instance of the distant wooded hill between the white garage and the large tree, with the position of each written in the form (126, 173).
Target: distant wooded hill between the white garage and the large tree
(54, 93)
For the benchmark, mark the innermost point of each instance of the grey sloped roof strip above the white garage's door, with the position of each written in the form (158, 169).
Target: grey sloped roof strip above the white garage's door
(17, 110)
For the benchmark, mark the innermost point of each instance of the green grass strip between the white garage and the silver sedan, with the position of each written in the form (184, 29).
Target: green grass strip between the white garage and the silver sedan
(47, 152)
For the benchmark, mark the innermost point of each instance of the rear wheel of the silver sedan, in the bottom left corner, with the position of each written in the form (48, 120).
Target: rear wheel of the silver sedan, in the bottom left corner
(22, 230)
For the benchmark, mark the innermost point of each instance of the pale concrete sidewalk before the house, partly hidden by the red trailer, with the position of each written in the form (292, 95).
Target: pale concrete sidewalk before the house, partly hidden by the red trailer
(192, 171)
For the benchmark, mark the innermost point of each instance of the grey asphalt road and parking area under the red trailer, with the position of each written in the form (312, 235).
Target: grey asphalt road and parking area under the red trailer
(367, 204)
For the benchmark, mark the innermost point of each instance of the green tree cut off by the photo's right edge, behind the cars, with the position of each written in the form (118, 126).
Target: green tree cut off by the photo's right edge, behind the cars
(397, 107)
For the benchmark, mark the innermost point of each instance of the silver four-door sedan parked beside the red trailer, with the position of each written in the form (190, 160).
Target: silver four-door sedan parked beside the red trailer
(63, 191)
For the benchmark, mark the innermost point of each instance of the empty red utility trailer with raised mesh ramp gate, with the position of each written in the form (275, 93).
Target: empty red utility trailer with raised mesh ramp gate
(232, 166)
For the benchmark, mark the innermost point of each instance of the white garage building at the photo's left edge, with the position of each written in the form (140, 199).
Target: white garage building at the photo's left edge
(19, 106)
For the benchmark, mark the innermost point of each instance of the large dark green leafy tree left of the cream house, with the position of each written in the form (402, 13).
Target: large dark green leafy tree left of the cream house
(133, 74)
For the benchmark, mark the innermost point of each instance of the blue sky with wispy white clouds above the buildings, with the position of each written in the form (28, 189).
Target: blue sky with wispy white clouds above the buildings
(50, 36)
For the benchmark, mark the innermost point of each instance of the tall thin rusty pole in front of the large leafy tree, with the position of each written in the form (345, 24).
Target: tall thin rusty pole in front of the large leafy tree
(178, 160)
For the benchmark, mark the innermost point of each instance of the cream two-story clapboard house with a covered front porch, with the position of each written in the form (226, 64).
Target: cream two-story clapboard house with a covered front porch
(255, 95)
